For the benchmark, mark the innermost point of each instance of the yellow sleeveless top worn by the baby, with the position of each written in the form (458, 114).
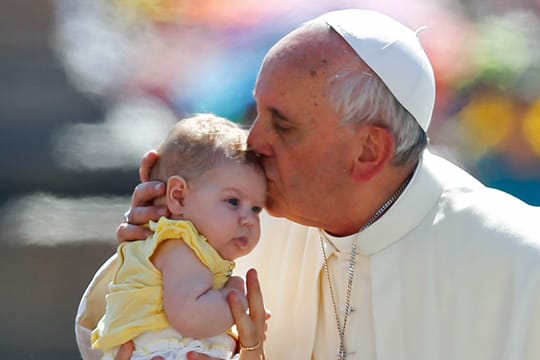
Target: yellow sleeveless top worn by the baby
(135, 298)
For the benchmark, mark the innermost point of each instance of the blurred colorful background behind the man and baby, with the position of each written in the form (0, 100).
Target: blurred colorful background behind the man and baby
(87, 86)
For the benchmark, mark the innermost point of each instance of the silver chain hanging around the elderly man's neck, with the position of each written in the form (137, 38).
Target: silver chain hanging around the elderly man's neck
(341, 354)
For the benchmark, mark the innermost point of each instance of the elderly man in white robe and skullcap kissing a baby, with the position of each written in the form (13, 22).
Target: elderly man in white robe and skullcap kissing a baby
(387, 251)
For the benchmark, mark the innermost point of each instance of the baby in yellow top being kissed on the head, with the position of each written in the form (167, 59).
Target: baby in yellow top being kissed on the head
(169, 292)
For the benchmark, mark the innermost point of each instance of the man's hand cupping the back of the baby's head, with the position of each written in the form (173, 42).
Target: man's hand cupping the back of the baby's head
(142, 209)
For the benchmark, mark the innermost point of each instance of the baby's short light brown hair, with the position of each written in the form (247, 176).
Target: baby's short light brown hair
(199, 143)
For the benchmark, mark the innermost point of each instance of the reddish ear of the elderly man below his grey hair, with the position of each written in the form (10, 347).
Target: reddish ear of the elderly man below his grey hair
(375, 150)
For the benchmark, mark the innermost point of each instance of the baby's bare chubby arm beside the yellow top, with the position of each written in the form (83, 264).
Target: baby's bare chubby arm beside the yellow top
(191, 305)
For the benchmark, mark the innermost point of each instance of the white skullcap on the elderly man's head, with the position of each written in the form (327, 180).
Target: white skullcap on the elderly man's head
(394, 53)
